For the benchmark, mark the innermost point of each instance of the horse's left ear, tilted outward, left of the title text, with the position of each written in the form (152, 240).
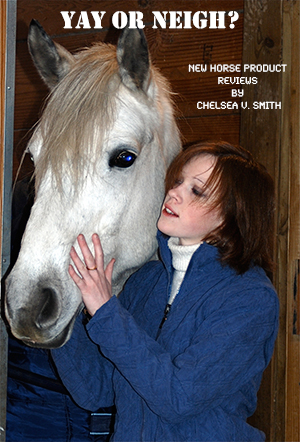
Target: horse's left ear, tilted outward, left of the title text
(51, 59)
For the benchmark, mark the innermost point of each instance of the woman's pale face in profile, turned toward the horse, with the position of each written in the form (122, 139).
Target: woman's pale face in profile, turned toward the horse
(186, 212)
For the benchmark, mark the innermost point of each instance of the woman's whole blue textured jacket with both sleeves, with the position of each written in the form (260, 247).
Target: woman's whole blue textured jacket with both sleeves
(198, 380)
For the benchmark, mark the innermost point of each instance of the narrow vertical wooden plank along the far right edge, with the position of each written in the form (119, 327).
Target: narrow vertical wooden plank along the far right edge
(291, 141)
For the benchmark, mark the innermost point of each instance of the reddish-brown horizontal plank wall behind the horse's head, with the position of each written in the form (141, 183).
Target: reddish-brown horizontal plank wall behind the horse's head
(172, 50)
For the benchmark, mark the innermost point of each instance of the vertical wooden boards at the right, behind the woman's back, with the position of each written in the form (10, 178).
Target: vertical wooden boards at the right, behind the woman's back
(271, 36)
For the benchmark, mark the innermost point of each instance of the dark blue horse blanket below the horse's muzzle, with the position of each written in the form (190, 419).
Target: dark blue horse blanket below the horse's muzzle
(39, 413)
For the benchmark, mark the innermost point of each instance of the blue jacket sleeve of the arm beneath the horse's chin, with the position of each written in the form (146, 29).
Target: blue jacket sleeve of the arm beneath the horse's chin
(84, 371)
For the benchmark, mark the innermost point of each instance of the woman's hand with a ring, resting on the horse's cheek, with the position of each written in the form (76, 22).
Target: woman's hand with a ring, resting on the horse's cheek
(93, 280)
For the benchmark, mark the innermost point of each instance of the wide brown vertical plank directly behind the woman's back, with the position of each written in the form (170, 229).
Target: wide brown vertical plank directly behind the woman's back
(261, 134)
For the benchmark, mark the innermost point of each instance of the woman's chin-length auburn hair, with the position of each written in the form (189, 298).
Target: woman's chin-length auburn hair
(243, 192)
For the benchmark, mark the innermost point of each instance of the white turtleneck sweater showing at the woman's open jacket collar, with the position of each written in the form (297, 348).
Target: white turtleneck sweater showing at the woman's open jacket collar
(181, 256)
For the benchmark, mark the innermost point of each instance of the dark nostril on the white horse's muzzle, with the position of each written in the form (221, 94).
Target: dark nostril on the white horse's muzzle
(49, 311)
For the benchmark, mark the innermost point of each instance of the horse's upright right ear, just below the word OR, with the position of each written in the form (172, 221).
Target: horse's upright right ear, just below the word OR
(133, 59)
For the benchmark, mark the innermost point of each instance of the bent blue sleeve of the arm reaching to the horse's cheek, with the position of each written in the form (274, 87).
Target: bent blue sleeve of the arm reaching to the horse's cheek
(229, 350)
